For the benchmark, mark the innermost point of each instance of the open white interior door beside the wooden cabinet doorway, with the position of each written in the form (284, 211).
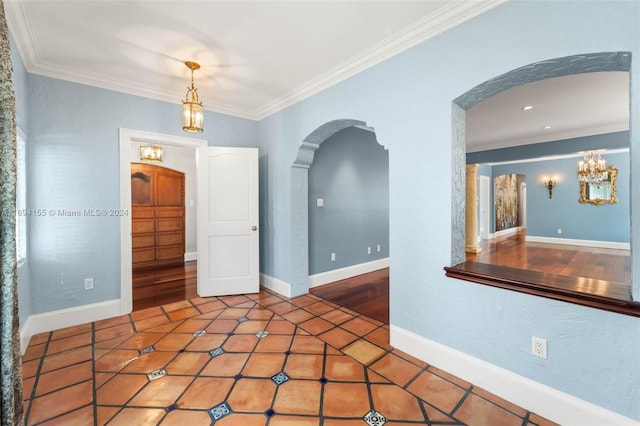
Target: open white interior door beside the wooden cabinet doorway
(228, 238)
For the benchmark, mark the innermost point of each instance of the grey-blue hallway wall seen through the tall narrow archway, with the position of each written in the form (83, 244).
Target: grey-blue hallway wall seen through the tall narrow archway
(350, 172)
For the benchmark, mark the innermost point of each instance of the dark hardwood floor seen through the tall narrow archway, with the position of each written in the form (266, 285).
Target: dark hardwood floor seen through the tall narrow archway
(367, 294)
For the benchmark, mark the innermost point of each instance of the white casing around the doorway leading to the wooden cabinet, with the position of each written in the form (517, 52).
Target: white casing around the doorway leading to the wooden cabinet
(127, 137)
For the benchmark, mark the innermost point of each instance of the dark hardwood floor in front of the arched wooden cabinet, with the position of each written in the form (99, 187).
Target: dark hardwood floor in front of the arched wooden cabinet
(156, 286)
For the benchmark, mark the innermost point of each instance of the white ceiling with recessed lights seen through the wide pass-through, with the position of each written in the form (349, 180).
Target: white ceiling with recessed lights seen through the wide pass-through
(573, 106)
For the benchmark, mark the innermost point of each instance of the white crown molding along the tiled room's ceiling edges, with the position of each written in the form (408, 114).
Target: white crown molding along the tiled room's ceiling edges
(454, 14)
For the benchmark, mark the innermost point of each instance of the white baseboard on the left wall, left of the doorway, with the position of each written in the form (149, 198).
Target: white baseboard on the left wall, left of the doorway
(62, 318)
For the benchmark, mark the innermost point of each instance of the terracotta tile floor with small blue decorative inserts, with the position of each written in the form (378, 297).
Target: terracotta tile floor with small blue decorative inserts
(249, 360)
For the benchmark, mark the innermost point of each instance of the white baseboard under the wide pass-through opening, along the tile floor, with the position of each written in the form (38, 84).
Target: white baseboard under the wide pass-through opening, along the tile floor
(543, 400)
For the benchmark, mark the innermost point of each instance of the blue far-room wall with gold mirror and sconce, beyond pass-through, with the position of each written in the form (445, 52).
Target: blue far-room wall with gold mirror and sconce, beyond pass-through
(610, 222)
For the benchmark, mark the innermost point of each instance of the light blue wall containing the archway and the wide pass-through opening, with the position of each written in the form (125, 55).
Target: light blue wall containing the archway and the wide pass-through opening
(407, 100)
